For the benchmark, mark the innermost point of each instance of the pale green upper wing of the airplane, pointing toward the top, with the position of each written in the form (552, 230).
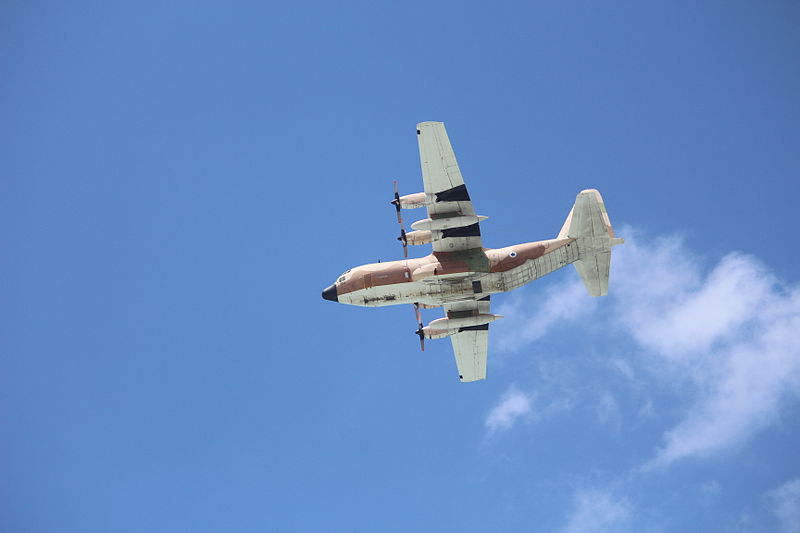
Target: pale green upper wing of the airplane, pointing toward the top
(446, 193)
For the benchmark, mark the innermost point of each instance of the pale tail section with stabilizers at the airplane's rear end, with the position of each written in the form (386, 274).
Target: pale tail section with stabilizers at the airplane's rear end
(589, 225)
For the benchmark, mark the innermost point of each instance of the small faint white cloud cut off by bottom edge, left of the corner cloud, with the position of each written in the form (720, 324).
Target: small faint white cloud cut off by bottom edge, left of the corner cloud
(597, 511)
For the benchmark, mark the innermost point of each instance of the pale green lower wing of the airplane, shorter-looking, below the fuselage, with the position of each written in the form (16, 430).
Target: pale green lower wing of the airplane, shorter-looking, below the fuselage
(471, 345)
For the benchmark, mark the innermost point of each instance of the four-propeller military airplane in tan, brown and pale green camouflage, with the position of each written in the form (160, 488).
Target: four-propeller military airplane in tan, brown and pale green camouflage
(461, 275)
